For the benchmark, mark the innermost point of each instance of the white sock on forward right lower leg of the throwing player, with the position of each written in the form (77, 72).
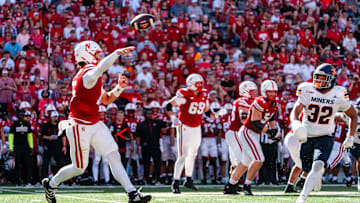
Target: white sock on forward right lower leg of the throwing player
(119, 172)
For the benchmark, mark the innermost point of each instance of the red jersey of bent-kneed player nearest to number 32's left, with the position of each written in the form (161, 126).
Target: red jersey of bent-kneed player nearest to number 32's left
(263, 106)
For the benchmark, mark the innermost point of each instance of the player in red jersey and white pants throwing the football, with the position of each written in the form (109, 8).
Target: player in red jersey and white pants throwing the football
(84, 128)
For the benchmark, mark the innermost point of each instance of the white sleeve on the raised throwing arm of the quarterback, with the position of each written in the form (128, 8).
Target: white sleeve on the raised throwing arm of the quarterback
(90, 78)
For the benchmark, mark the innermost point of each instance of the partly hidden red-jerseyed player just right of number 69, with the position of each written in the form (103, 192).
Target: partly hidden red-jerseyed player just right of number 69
(247, 91)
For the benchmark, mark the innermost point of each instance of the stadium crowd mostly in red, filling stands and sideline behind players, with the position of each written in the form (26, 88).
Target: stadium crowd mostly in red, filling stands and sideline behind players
(226, 41)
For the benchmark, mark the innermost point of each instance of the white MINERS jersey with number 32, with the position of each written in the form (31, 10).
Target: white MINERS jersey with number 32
(320, 109)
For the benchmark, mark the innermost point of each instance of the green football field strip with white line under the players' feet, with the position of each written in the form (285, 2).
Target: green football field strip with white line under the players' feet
(208, 193)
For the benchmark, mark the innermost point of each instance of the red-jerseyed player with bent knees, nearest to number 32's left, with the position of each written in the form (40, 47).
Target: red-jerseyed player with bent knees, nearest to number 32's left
(262, 112)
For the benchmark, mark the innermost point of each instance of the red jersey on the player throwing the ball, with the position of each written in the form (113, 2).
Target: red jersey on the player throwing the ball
(84, 103)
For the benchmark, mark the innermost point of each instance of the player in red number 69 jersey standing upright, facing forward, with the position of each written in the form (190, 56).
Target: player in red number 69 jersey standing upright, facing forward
(193, 102)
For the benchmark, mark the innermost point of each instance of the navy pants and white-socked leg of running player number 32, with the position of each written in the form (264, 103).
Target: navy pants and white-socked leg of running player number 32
(322, 149)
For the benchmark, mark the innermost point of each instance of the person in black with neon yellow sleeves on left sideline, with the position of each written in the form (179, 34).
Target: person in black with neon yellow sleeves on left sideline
(21, 145)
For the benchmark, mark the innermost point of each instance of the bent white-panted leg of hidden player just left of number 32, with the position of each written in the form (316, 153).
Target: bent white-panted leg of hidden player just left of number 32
(293, 146)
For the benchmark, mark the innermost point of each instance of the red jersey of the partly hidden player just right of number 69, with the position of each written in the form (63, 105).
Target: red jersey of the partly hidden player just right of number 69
(243, 102)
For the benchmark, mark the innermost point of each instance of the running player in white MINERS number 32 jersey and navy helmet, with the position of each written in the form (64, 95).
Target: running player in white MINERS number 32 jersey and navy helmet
(319, 101)
